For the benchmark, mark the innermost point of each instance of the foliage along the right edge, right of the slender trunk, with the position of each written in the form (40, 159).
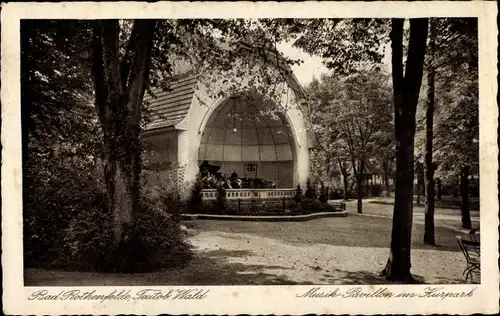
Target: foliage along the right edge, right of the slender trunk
(457, 121)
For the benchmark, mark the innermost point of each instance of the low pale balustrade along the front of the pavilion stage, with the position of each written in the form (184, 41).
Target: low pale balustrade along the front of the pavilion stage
(250, 194)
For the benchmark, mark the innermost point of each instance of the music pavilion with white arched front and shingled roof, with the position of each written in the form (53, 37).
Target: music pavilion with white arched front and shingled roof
(191, 129)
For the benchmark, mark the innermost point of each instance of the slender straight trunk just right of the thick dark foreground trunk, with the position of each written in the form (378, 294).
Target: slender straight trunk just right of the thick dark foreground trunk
(429, 230)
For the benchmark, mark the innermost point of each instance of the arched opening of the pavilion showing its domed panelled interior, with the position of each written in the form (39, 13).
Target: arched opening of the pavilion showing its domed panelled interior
(243, 136)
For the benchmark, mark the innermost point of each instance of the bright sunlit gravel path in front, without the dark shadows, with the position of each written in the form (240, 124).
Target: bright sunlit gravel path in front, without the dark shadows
(324, 263)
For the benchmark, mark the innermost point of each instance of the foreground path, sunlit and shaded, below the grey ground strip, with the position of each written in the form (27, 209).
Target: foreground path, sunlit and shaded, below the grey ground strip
(228, 258)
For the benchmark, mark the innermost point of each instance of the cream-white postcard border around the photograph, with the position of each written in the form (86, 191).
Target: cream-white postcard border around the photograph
(249, 299)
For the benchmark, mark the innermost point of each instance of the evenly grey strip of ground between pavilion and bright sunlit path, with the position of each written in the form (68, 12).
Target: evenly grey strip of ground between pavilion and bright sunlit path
(351, 231)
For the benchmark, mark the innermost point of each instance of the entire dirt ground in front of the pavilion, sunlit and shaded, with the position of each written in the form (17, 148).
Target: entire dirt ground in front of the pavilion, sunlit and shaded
(350, 250)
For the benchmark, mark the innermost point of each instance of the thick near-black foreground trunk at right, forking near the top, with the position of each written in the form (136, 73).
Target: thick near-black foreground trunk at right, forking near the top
(406, 92)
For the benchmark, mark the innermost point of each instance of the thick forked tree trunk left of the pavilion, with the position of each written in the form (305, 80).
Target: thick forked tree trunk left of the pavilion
(119, 90)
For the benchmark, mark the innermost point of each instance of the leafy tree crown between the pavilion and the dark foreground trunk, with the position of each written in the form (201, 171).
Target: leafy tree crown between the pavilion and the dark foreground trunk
(352, 117)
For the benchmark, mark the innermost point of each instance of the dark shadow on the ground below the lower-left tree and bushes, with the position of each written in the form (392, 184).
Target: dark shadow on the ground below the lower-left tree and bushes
(207, 268)
